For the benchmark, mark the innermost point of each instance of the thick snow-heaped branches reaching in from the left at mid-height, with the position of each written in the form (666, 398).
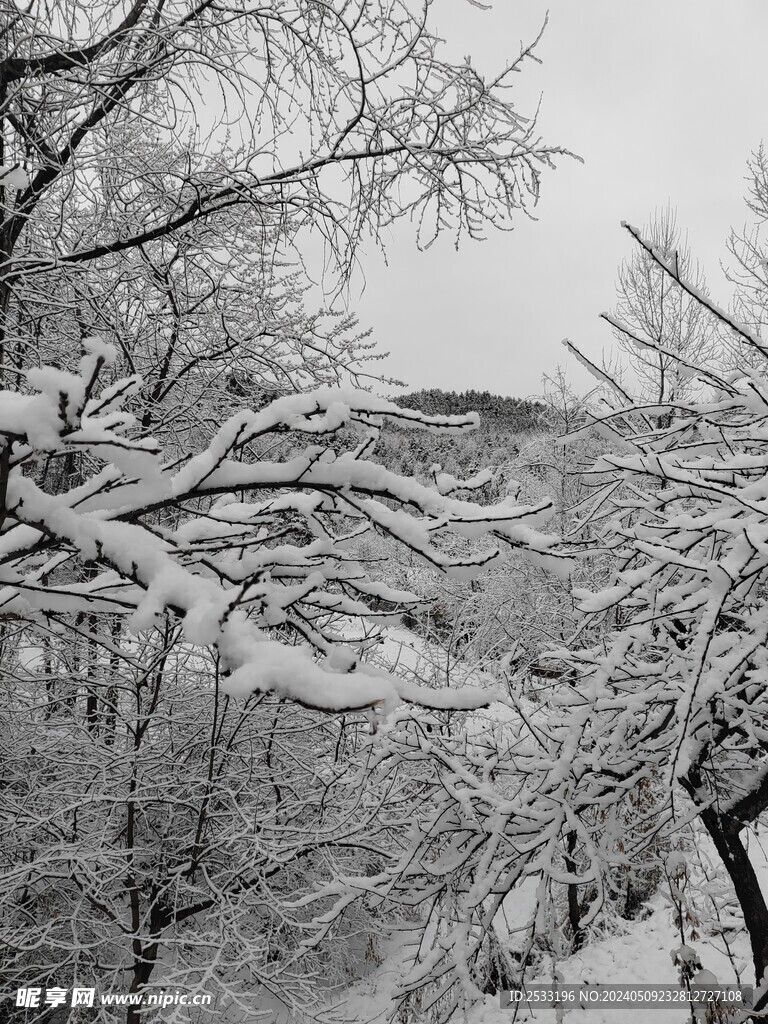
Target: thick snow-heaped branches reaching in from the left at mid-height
(255, 558)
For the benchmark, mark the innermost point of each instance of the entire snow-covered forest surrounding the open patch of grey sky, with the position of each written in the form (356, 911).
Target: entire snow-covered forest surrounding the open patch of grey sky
(322, 703)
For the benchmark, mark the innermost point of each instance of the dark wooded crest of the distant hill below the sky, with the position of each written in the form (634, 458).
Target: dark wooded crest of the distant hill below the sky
(497, 412)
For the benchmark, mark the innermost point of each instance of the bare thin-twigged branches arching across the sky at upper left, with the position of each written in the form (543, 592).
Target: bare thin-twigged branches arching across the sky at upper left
(155, 117)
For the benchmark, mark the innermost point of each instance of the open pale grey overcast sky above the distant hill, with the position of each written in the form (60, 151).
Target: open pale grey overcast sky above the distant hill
(664, 100)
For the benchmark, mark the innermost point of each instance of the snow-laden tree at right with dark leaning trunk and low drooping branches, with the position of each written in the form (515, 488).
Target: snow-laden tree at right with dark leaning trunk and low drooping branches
(660, 720)
